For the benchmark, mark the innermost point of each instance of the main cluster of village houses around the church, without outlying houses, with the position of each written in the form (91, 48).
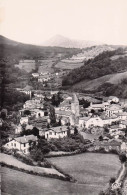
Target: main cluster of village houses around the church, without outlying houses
(93, 119)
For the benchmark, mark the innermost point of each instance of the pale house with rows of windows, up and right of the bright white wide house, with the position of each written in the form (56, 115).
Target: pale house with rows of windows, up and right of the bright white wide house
(113, 109)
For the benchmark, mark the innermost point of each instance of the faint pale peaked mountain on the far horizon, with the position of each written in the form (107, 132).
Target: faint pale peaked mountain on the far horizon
(61, 41)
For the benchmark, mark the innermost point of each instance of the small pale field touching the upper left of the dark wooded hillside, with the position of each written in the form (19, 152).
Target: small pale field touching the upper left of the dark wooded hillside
(69, 66)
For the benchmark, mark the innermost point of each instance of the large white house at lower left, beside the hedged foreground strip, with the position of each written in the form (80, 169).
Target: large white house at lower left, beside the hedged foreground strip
(21, 143)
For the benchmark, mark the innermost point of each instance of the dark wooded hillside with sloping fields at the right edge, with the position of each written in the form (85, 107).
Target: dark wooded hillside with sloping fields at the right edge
(104, 73)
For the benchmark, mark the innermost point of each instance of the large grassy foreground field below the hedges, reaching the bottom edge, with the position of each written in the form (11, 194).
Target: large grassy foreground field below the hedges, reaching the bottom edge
(91, 170)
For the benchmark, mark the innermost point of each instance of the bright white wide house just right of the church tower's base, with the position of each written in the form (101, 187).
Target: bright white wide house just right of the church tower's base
(91, 121)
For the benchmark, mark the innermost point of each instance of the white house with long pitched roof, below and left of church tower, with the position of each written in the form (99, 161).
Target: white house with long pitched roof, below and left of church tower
(56, 132)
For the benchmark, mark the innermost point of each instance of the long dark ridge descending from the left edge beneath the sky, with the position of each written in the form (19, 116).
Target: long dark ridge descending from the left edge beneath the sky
(16, 50)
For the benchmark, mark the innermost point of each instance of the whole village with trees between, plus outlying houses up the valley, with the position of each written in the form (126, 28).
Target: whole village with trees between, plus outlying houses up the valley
(101, 122)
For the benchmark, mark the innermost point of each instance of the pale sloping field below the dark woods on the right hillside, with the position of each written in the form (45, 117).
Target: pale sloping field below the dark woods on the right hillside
(95, 83)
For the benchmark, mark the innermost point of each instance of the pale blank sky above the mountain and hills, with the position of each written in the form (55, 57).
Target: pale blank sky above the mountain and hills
(35, 21)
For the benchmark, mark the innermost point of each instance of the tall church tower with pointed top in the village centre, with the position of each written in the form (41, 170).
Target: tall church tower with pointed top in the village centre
(74, 110)
